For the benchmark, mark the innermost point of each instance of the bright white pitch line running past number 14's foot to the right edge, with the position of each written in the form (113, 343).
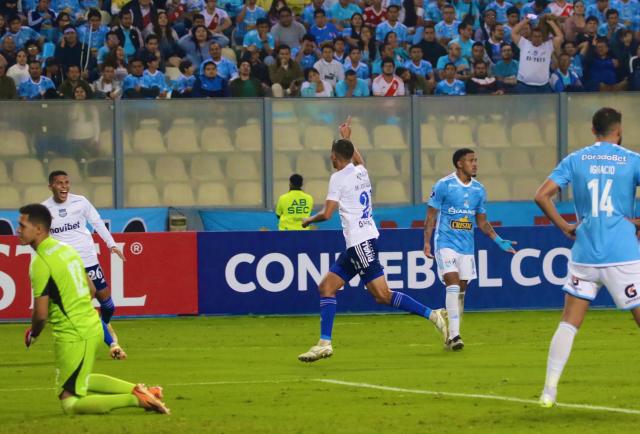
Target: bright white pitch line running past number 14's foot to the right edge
(474, 395)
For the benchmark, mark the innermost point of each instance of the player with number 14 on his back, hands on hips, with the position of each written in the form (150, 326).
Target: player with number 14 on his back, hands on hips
(604, 178)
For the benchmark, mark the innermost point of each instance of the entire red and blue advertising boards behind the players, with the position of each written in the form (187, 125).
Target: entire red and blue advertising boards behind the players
(239, 273)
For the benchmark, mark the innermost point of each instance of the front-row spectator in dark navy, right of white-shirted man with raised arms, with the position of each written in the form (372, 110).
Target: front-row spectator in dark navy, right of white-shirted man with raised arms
(601, 69)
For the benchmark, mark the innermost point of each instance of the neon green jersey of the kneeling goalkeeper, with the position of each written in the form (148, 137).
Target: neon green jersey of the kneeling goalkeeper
(57, 271)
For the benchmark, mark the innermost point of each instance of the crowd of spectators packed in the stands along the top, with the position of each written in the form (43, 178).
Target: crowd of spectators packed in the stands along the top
(83, 49)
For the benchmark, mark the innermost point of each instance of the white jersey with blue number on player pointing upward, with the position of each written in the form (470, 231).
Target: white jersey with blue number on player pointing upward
(351, 188)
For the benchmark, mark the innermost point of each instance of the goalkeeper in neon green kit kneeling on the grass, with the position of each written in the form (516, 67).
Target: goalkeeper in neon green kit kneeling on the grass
(61, 295)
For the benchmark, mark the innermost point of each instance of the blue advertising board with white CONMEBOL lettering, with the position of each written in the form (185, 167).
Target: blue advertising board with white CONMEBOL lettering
(278, 272)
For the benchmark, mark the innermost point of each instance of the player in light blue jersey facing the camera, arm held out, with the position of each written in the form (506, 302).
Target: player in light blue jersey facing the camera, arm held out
(456, 201)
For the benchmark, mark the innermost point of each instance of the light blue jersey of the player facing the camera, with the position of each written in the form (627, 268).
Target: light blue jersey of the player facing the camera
(458, 204)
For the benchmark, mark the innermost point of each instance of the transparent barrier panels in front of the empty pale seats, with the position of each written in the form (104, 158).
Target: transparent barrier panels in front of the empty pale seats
(239, 153)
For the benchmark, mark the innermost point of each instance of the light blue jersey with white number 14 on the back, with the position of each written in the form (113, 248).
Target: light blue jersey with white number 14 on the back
(604, 177)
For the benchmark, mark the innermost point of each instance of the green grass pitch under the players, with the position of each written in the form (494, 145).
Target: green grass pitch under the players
(268, 390)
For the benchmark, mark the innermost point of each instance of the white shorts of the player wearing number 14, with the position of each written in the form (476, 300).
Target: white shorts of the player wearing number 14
(622, 282)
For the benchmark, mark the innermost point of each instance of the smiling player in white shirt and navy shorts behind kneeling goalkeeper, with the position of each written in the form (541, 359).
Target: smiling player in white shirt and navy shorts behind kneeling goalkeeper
(70, 215)
